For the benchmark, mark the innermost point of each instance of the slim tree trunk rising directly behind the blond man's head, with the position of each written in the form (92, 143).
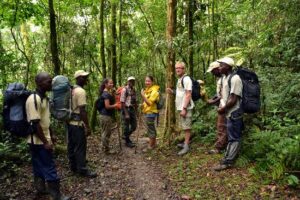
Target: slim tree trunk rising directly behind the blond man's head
(190, 12)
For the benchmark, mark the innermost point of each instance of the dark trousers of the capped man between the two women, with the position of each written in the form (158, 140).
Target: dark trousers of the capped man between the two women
(129, 125)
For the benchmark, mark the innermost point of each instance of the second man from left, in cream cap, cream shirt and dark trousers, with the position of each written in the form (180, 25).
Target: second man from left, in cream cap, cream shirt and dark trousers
(78, 127)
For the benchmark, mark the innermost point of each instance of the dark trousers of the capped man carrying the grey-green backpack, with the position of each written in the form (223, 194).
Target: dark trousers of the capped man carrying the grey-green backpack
(77, 148)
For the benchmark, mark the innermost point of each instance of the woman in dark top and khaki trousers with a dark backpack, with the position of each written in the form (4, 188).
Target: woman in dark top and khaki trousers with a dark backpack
(106, 107)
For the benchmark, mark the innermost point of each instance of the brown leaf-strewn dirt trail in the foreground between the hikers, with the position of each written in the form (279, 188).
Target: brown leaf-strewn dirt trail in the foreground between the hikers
(123, 175)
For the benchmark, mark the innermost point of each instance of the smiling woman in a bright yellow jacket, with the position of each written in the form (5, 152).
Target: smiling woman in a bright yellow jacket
(150, 97)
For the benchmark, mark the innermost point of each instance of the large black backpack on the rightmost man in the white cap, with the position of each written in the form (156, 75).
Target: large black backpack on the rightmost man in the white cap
(251, 89)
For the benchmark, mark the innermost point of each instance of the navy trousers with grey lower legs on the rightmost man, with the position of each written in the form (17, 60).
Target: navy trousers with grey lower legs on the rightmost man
(235, 126)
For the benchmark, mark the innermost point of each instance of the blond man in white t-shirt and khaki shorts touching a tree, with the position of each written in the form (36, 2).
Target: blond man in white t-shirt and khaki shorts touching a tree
(184, 104)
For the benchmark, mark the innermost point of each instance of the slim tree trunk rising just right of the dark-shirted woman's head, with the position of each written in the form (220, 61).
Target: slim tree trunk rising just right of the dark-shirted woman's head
(114, 41)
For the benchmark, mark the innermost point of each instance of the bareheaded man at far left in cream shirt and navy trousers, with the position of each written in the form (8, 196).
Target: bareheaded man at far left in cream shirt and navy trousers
(42, 139)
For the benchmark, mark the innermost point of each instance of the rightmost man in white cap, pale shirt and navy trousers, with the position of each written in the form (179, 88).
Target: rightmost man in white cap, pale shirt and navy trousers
(231, 92)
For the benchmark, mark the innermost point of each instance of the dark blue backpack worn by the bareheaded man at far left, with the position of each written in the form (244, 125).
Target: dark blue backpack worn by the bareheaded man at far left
(14, 111)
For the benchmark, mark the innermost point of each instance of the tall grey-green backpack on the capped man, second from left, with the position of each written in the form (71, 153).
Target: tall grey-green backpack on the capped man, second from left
(61, 98)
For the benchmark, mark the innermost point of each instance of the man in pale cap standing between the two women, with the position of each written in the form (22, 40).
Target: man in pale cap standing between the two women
(129, 107)
